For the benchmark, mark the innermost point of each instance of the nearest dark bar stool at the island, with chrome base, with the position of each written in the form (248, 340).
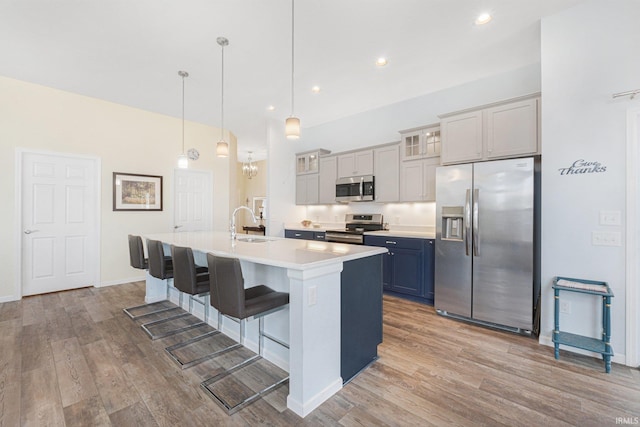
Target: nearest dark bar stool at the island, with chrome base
(229, 296)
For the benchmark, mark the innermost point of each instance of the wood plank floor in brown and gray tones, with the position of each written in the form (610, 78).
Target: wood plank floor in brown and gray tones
(75, 359)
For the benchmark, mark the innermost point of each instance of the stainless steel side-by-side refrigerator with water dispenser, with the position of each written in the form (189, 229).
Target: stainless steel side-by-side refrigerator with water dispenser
(487, 242)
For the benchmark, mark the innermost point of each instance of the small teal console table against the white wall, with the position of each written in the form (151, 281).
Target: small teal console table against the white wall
(596, 345)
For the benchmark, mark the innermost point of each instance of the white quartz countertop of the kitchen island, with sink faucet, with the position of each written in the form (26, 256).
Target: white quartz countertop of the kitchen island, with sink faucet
(275, 251)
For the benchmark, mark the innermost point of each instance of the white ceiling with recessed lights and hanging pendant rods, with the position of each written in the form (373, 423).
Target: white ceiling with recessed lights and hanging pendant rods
(130, 51)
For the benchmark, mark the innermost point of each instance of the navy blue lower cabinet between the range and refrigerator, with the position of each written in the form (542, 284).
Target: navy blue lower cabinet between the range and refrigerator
(407, 267)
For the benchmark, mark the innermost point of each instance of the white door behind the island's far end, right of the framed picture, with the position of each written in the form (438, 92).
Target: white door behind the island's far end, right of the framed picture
(193, 200)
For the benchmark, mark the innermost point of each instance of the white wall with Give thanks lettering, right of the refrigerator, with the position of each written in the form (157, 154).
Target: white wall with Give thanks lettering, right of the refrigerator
(589, 52)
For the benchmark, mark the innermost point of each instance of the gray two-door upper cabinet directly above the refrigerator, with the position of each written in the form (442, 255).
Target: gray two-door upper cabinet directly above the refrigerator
(501, 130)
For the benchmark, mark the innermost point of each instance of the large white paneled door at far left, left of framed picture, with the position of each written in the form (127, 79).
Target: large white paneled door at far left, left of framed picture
(59, 222)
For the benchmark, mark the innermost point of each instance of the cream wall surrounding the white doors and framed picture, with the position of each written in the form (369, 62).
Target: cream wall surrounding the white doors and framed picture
(126, 139)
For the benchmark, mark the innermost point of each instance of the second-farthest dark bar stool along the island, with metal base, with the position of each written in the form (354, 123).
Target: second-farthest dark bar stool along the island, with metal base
(161, 267)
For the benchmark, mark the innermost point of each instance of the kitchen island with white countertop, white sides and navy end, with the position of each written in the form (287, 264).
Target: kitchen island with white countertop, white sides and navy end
(312, 273)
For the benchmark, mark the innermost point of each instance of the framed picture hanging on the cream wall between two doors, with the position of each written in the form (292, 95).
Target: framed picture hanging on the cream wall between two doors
(134, 192)
